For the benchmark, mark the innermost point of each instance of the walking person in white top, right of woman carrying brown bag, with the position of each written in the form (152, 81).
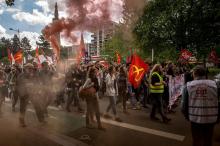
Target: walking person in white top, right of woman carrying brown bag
(111, 92)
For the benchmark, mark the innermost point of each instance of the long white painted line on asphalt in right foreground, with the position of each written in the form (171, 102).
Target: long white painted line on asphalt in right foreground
(145, 130)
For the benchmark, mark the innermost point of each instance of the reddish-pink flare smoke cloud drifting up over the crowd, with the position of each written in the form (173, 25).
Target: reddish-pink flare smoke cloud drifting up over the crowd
(82, 15)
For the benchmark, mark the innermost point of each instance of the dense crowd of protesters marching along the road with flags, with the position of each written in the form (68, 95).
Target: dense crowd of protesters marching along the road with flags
(134, 85)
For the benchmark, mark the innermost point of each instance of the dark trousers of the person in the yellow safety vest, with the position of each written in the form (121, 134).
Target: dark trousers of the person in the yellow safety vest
(156, 99)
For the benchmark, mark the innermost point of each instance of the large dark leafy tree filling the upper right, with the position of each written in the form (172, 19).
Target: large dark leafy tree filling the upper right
(180, 24)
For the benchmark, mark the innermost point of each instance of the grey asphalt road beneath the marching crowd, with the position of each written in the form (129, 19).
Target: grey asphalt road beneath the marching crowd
(68, 129)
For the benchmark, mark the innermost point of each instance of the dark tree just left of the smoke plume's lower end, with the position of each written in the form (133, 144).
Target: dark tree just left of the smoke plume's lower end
(44, 46)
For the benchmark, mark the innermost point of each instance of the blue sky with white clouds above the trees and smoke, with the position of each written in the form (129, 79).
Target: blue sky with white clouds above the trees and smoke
(31, 16)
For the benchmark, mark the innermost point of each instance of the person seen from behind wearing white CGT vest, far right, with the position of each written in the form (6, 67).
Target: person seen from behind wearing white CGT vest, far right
(200, 105)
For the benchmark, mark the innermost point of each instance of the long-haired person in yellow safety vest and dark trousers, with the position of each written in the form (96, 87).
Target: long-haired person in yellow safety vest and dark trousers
(156, 93)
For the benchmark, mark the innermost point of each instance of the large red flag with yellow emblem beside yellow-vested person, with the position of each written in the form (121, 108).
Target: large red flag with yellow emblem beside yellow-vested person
(137, 70)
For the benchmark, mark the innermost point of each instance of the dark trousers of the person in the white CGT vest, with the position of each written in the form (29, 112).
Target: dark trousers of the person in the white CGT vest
(202, 134)
